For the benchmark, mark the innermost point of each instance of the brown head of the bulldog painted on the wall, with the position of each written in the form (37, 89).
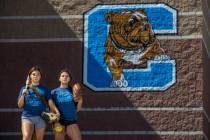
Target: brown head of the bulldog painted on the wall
(130, 29)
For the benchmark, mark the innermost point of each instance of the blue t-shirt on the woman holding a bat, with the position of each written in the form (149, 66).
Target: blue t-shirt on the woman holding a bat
(33, 106)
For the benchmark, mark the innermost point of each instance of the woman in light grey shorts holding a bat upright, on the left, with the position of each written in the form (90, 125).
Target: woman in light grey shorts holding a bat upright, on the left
(31, 120)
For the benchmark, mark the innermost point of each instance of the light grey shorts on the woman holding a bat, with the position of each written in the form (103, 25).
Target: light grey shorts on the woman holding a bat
(37, 121)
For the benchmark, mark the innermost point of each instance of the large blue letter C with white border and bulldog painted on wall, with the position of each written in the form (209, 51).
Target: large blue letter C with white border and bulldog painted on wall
(121, 51)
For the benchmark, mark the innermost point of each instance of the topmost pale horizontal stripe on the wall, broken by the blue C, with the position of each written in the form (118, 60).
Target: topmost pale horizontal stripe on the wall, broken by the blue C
(37, 17)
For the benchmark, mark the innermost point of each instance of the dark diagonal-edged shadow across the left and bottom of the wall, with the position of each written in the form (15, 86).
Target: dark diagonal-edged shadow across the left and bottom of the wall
(17, 58)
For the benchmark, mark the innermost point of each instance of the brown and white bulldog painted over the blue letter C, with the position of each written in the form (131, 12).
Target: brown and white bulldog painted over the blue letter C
(130, 40)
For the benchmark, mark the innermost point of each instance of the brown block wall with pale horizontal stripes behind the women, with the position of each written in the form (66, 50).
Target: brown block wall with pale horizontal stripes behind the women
(49, 34)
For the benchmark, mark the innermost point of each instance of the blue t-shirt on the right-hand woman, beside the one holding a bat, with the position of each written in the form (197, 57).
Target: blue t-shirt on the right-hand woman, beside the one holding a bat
(64, 101)
